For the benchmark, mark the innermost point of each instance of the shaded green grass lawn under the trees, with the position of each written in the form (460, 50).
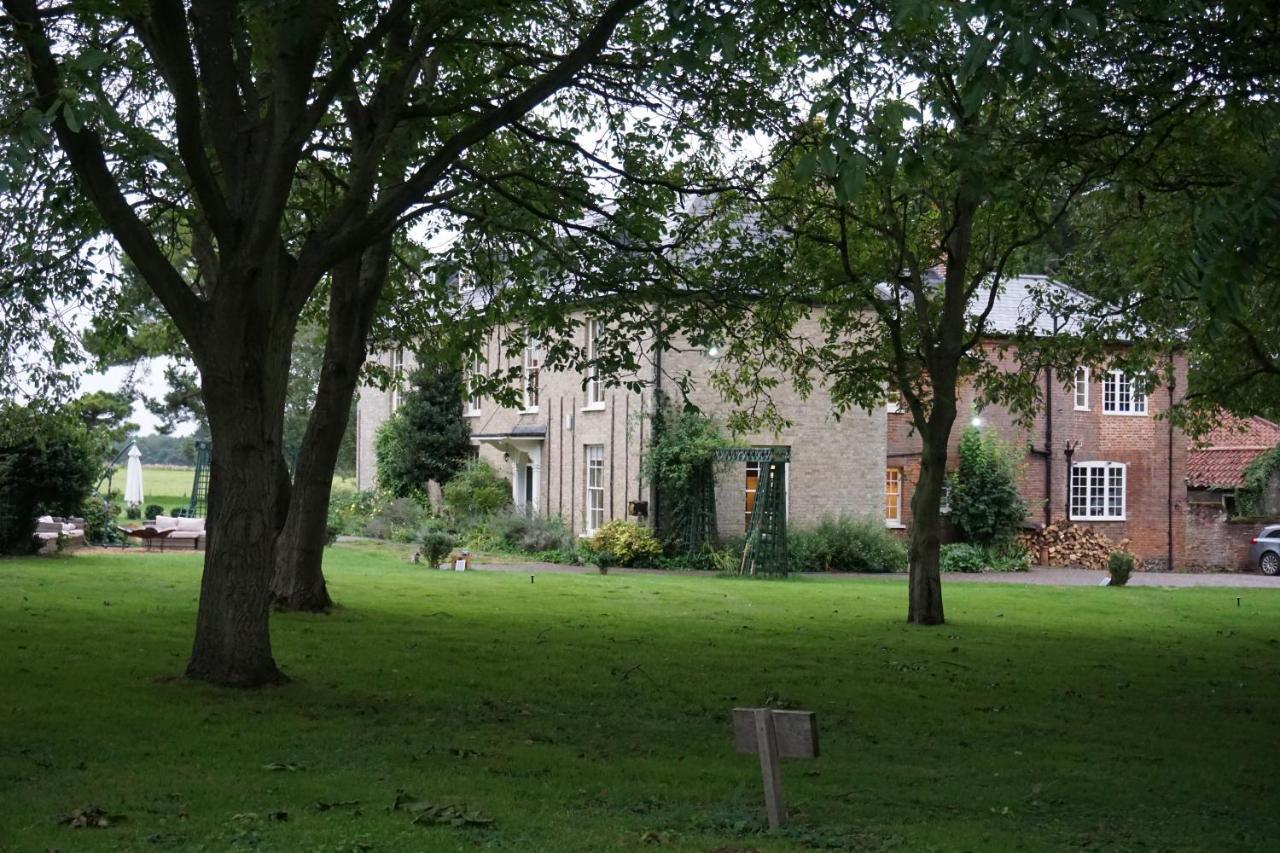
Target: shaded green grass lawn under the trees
(587, 713)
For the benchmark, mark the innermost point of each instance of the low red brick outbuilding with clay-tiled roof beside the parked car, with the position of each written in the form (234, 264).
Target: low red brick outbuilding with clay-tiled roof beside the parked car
(1215, 471)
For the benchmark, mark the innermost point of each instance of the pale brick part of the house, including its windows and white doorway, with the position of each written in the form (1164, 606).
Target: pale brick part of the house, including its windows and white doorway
(575, 446)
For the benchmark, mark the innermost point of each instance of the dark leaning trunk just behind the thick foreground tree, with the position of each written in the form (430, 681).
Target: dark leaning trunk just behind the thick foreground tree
(299, 582)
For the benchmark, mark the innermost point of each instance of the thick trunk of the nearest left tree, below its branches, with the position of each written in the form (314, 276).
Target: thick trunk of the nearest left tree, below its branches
(248, 489)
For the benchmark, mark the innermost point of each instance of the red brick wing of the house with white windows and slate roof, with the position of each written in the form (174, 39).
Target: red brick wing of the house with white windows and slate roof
(1098, 453)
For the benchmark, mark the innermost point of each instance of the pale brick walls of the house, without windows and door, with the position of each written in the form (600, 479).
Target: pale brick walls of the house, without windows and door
(838, 467)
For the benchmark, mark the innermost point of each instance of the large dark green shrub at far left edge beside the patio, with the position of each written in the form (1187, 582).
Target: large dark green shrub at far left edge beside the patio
(49, 463)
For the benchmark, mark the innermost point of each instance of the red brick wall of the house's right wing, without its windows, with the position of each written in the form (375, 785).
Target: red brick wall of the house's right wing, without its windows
(1139, 441)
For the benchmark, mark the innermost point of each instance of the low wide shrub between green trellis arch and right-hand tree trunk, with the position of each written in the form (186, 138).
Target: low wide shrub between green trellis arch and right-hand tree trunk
(845, 544)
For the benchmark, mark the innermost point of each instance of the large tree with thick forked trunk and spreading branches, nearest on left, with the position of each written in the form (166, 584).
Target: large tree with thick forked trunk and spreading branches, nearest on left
(286, 144)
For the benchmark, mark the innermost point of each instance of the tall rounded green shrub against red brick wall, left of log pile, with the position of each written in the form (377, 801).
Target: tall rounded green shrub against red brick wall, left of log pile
(985, 501)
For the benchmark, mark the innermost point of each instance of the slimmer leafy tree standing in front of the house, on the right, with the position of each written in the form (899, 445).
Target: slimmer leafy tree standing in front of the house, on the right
(941, 147)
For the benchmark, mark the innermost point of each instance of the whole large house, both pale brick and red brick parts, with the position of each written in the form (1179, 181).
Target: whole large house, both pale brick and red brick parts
(1099, 454)
